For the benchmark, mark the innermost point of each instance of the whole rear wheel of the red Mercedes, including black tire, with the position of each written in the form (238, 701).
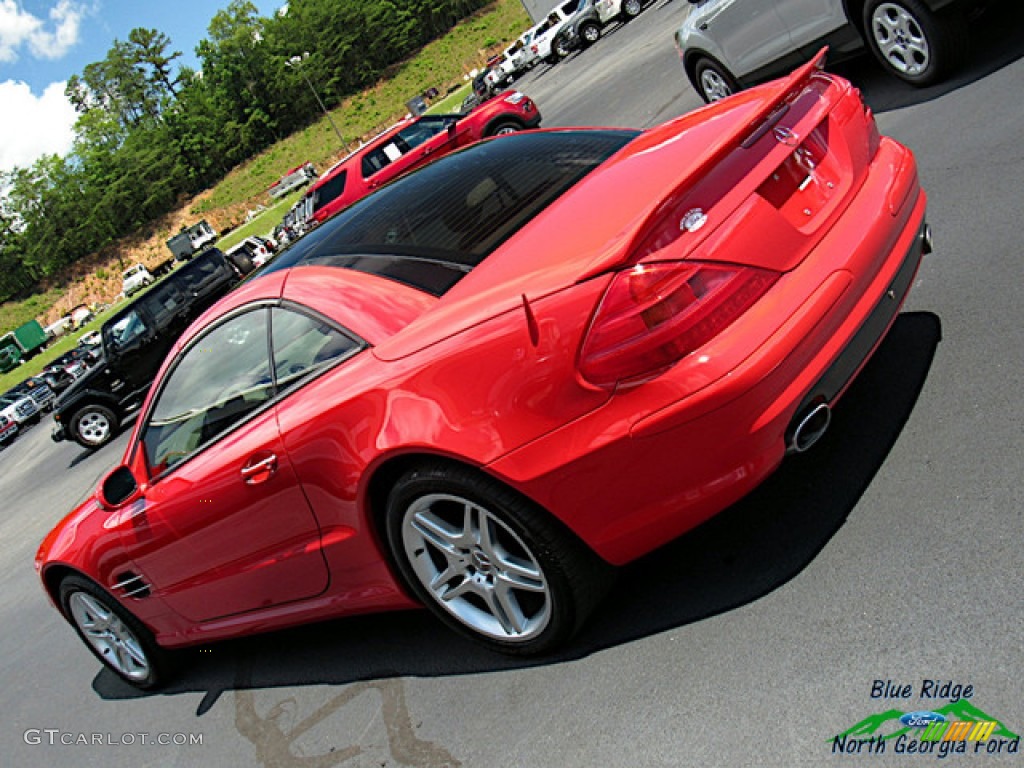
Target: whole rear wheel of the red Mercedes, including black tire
(513, 580)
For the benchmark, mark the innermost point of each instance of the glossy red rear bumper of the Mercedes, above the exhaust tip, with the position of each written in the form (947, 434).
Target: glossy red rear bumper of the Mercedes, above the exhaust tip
(657, 461)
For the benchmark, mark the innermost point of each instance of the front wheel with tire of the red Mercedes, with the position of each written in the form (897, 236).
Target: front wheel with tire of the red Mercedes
(120, 642)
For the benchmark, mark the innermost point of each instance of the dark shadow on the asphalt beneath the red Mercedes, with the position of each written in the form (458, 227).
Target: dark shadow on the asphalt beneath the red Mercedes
(748, 551)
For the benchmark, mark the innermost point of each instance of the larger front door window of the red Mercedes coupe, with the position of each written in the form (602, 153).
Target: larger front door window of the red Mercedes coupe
(220, 380)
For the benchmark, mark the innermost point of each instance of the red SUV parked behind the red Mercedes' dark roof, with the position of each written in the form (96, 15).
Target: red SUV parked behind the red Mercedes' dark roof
(412, 144)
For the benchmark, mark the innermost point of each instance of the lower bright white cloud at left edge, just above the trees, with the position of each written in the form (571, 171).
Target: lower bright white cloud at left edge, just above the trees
(33, 125)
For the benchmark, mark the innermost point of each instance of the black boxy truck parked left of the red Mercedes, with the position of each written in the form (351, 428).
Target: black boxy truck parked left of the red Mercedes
(135, 345)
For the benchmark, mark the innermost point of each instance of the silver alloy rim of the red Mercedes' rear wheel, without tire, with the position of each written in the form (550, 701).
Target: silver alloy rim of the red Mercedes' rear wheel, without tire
(477, 568)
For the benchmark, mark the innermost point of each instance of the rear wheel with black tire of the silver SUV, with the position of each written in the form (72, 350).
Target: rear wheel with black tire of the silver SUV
(914, 44)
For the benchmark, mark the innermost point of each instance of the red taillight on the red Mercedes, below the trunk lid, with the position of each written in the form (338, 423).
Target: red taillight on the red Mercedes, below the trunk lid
(653, 316)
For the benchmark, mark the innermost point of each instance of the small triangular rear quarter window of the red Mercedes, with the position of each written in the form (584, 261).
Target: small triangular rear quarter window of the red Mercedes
(303, 344)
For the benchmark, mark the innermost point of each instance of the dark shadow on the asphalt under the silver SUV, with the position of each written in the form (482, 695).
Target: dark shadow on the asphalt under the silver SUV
(997, 40)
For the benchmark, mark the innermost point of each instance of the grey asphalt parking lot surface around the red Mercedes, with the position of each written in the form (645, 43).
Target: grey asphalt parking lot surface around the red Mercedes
(887, 562)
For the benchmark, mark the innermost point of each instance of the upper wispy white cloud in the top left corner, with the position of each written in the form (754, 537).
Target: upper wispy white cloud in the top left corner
(20, 29)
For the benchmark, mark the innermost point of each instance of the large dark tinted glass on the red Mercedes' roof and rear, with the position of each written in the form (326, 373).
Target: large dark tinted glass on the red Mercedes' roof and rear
(448, 218)
